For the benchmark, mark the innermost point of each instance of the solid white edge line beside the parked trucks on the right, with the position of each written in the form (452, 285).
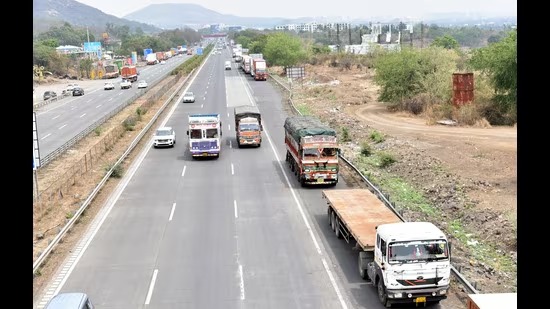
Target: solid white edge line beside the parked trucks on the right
(300, 208)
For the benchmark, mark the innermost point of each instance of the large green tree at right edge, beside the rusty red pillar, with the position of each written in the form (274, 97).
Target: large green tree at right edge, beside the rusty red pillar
(498, 61)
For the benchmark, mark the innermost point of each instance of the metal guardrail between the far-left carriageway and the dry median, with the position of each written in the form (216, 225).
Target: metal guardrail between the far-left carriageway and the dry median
(57, 152)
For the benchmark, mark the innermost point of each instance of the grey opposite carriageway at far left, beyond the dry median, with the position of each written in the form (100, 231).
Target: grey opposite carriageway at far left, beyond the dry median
(60, 121)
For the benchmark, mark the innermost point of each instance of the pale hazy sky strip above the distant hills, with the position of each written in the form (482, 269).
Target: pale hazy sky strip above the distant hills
(312, 8)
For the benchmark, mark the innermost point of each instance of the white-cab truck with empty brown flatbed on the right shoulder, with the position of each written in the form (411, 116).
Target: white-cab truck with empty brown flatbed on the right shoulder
(407, 262)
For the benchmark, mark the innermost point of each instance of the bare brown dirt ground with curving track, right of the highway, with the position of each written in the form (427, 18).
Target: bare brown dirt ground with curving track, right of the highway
(469, 173)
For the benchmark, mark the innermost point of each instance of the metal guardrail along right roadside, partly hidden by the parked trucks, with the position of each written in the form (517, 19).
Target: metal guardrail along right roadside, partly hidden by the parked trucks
(379, 193)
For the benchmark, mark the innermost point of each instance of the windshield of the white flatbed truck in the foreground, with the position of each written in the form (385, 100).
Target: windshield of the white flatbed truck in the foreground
(417, 251)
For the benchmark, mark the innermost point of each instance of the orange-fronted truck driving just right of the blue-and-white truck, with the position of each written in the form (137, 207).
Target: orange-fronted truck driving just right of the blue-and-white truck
(248, 126)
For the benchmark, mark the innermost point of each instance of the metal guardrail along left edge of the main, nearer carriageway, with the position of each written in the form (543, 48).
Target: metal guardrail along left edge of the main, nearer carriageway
(43, 256)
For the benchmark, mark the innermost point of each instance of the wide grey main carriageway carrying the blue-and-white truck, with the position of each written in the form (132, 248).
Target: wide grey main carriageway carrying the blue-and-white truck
(233, 232)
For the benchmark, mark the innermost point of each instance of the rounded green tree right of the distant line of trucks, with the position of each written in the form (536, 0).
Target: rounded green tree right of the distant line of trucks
(284, 50)
